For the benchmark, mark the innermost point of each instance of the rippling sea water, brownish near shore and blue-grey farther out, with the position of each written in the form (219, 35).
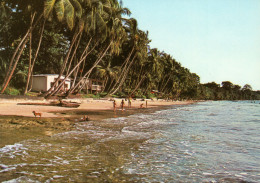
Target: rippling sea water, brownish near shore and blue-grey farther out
(203, 142)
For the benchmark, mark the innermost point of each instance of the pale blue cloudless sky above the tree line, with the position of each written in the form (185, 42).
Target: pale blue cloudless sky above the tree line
(217, 39)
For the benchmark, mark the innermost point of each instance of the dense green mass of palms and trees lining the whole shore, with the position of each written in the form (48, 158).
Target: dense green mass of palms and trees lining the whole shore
(94, 39)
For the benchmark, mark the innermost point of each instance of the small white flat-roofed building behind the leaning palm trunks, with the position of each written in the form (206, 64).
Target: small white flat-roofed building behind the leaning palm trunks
(43, 82)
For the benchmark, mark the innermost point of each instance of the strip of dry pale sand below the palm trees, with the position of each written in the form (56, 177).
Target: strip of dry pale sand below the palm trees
(13, 107)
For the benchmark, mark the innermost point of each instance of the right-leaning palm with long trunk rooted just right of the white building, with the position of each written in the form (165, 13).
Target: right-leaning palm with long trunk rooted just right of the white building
(113, 34)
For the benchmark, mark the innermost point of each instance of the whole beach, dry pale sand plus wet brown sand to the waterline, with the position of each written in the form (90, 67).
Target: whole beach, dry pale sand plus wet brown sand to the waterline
(17, 122)
